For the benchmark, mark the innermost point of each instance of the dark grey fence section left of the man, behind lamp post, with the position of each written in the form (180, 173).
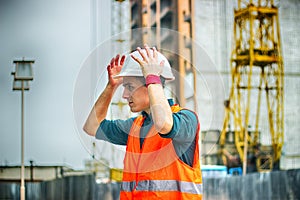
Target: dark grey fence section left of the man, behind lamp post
(67, 188)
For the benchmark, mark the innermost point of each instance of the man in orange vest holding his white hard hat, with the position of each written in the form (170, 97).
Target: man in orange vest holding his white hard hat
(162, 153)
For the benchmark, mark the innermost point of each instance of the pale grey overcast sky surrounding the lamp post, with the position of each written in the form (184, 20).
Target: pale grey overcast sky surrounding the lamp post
(56, 34)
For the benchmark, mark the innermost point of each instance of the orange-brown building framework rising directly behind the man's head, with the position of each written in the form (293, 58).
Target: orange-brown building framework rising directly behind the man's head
(153, 22)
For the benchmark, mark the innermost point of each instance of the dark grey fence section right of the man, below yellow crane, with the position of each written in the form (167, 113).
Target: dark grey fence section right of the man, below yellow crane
(281, 185)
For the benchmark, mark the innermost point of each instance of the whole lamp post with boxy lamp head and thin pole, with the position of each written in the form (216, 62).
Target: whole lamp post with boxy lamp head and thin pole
(22, 75)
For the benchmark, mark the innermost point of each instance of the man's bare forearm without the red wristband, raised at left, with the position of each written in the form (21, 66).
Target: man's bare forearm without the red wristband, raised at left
(99, 110)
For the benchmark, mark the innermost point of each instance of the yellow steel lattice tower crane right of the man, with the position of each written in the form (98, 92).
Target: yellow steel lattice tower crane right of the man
(254, 110)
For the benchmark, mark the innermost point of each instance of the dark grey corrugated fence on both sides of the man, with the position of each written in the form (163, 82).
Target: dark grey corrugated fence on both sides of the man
(283, 185)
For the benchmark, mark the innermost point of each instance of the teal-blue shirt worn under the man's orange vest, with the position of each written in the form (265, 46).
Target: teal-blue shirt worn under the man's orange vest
(183, 132)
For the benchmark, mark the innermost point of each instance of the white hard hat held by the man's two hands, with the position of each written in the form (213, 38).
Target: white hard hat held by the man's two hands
(132, 68)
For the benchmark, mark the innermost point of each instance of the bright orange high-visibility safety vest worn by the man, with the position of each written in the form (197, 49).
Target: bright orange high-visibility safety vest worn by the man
(155, 171)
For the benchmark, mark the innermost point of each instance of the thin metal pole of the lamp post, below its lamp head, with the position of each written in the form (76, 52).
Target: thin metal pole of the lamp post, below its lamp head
(22, 188)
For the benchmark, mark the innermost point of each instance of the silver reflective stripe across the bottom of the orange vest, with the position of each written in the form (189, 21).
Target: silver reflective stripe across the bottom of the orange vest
(162, 185)
